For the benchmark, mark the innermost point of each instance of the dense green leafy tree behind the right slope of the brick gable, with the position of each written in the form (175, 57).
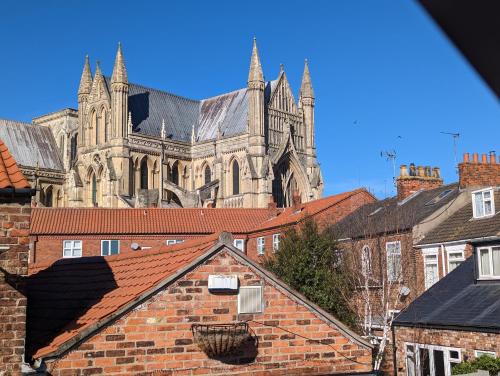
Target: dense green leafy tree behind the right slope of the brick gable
(307, 261)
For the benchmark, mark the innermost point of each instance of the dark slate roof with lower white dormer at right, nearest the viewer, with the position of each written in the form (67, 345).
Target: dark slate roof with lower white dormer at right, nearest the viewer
(456, 301)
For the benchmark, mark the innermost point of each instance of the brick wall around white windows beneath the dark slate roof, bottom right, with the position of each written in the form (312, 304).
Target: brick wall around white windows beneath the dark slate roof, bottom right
(465, 340)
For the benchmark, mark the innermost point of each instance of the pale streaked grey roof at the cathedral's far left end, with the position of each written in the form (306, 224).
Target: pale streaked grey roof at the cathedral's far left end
(30, 144)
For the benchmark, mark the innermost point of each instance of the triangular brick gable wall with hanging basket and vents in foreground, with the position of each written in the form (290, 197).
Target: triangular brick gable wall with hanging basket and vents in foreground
(157, 334)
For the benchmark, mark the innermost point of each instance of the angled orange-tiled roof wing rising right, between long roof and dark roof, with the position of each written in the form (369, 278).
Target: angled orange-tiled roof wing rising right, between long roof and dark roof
(293, 215)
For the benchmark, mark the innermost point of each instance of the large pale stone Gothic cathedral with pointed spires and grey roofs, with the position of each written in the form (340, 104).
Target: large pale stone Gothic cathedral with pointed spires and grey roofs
(132, 146)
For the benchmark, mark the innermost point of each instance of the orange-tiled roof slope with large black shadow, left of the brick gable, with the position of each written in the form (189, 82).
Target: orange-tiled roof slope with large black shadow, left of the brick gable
(71, 296)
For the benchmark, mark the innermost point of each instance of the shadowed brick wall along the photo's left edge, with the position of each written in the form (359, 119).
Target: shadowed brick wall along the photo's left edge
(14, 247)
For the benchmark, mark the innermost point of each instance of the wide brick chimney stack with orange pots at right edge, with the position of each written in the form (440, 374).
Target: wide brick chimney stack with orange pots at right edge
(475, 173)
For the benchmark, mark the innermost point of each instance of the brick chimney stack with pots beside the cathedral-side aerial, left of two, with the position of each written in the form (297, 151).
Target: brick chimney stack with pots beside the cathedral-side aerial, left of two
(418, 178)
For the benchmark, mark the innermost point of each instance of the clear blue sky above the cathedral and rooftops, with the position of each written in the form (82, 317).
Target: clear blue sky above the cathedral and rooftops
(385, 76)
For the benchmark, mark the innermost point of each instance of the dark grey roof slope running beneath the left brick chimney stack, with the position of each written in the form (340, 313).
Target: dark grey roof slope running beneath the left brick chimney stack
(391, 216)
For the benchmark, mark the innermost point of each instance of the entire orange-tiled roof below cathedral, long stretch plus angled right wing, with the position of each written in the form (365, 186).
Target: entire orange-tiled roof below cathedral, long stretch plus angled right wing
(53, 221)
